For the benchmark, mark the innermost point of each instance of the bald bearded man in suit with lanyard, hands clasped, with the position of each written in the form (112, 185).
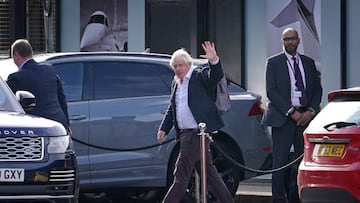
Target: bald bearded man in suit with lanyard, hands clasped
(294, 91)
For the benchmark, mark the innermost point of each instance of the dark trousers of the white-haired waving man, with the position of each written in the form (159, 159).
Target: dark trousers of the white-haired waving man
(189, 155)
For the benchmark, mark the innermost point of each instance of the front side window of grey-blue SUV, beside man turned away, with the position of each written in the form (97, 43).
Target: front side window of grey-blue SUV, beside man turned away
(71, 75)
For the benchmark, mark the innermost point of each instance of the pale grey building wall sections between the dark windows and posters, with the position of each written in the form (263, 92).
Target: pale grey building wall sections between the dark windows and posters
(255, 40)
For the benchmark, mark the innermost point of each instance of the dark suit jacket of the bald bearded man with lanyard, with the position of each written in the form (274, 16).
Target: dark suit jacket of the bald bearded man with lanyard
(278, 88)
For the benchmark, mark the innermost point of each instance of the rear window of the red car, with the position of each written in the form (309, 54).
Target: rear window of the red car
(338, 112)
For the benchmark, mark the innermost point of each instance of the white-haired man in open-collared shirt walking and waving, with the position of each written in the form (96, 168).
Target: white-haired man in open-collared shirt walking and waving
(190, 105)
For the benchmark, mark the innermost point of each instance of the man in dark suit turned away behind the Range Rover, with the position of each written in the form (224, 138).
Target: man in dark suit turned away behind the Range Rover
(41, 80)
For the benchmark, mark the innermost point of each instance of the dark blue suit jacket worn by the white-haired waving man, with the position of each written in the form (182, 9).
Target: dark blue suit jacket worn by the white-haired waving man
(201, 103)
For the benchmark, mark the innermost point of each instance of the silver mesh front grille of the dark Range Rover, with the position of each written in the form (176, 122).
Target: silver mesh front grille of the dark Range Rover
(21, 148)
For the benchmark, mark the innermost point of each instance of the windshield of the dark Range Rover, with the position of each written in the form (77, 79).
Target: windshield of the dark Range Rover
(8, 101)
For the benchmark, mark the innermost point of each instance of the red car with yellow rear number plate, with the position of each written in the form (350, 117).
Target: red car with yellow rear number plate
(330, 169)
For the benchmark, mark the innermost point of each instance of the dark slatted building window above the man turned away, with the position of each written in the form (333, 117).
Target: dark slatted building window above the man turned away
(31, 19)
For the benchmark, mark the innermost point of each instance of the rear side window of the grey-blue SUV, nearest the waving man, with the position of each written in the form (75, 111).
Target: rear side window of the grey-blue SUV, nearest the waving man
(125, 79)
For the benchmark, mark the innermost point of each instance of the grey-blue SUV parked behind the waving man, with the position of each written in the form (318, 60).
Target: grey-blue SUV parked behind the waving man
(116, 102)
